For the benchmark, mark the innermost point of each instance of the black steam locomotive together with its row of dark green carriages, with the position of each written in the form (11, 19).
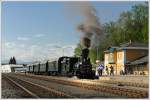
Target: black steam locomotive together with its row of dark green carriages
(65, 66)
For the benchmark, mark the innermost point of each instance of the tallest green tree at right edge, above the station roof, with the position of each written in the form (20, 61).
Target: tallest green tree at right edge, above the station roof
(134, 23)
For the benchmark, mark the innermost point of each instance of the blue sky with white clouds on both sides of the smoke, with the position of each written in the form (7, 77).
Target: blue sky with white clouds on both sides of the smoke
(39, 31)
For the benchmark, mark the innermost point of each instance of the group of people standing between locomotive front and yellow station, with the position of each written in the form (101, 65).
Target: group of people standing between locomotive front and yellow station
(101, 68)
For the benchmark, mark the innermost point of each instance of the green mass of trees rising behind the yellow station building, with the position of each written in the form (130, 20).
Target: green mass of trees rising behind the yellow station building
(131, 25)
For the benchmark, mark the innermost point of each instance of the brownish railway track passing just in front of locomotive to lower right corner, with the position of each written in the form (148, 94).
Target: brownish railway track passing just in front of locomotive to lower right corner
(121, 91)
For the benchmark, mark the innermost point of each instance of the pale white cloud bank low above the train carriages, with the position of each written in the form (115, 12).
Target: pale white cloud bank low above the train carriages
(28, 53)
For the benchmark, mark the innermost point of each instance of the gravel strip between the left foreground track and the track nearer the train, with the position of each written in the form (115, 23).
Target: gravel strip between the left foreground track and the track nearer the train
(72, 90)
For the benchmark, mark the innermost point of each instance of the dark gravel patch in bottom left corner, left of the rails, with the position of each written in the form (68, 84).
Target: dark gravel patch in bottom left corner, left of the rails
(10, 90)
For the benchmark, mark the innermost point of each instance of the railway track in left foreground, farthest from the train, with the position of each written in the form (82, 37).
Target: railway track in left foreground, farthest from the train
(36, 90)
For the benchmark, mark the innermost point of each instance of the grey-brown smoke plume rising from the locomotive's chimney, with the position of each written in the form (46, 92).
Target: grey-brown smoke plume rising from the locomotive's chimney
(90, 27)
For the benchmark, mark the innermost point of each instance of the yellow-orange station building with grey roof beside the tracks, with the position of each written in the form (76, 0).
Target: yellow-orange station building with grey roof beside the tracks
(129, 58)
